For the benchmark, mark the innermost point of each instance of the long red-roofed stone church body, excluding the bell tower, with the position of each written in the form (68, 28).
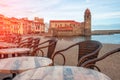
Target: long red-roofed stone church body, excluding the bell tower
(65, 27)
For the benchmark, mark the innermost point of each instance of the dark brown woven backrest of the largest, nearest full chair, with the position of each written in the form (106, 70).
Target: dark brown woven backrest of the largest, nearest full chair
(90, 48)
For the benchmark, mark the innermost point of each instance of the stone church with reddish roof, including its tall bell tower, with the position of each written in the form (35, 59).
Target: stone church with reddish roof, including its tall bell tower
(71, 27)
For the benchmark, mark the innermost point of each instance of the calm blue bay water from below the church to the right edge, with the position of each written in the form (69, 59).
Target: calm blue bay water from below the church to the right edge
(112, 38)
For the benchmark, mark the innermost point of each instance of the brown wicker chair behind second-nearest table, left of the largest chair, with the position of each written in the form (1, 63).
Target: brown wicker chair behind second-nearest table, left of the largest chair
(48, 44)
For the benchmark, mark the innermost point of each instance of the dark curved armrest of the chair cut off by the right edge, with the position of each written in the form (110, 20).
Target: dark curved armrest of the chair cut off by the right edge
(89, 63)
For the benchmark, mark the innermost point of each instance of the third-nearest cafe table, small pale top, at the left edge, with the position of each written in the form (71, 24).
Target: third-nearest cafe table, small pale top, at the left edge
(12, 52)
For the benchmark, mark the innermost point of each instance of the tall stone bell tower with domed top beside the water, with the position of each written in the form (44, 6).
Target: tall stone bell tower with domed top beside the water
(87, 22)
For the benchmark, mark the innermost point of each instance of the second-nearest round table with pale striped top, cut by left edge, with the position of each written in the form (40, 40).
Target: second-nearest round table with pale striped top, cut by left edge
(16, 65)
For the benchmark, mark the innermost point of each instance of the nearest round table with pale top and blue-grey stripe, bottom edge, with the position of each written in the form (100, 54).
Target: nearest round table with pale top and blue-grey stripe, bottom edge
(61, 73)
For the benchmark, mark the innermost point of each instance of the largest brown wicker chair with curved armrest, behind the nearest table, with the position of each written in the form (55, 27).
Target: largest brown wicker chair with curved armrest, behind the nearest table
(90, 47)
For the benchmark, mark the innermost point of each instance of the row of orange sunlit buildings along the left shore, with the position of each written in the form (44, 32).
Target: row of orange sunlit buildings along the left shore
(21, 26)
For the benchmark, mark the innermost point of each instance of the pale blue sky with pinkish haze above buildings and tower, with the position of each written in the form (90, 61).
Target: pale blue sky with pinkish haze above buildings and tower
(103, 11)
